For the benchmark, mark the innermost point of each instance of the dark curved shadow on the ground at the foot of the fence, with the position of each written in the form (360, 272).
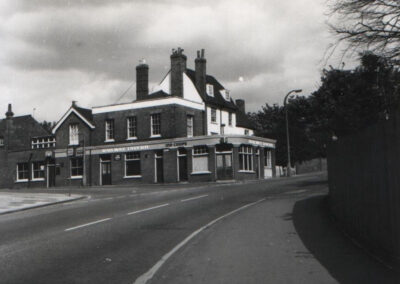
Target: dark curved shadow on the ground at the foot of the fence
(343, 260)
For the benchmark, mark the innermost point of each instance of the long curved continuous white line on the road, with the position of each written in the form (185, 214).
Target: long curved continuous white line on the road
(149, 274)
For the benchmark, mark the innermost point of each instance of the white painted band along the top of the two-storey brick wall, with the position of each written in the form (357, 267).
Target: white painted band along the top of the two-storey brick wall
(149, 103)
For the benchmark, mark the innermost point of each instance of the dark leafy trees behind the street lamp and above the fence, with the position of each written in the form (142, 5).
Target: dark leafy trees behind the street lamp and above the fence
(346, 101)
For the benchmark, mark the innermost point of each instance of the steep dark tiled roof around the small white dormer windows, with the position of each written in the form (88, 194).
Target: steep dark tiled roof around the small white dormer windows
(217, 99)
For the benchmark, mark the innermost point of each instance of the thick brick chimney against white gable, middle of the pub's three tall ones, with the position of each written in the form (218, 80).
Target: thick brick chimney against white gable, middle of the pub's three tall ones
(178, 67)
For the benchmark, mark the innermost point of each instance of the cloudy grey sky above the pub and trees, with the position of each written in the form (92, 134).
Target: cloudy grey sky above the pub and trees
(56, 51)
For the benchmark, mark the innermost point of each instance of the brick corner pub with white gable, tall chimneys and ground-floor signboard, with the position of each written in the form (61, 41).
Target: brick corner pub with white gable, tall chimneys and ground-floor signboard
(187, 129)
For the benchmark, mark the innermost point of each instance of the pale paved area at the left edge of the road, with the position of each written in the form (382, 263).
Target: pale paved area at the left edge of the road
(15, 201)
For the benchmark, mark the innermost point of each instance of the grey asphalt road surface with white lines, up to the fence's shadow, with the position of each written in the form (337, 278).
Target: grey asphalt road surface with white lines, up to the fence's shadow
(273, 231)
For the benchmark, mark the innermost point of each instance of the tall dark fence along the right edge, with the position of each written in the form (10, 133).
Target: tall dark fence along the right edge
(364, 185)
